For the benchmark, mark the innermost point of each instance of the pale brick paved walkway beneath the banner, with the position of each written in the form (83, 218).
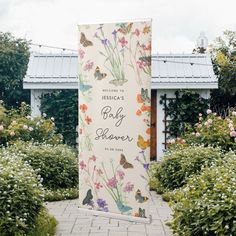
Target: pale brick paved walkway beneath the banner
(72, 222)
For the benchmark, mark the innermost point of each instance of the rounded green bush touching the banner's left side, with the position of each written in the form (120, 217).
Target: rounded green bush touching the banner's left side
(57, 165)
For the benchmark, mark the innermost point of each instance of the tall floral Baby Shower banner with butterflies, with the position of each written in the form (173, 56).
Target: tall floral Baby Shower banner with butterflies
(114, 118)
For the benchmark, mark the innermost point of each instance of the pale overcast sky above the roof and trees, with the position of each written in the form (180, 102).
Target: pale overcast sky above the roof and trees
(176, 23)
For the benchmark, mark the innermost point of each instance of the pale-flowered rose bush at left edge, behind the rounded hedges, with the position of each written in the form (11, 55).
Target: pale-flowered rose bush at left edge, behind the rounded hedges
(19, 125)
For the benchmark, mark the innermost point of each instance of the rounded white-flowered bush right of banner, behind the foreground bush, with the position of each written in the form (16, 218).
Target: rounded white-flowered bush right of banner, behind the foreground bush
(178, 165)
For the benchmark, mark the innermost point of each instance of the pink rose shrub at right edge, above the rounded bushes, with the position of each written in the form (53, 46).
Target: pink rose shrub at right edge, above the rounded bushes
(215, 131)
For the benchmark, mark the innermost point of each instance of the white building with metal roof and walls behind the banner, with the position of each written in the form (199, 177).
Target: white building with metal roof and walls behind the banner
(170, 72)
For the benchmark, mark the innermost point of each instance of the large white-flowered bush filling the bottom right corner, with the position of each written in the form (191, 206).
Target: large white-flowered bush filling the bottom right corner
(207, 205)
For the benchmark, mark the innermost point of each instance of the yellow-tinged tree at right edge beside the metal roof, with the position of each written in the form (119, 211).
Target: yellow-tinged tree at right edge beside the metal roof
(224, 60)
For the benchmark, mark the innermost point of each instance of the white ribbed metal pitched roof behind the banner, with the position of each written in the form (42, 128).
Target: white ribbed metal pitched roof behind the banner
(169, 71)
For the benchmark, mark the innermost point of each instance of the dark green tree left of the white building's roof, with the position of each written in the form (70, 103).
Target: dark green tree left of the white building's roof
(14, 58)
